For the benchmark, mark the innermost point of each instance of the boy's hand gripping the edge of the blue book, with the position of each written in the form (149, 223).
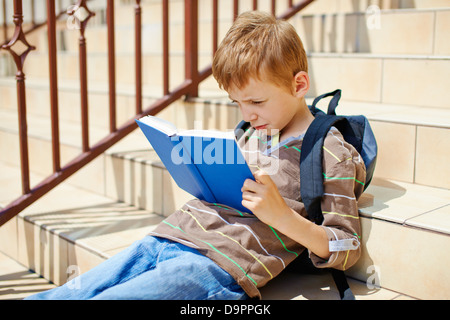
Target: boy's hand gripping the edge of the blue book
(263, 199)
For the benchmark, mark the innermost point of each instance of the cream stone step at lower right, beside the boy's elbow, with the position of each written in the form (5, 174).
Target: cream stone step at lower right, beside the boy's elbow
(405, 231)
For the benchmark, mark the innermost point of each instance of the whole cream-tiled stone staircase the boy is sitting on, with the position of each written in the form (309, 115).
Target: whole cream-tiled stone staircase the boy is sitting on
(392, 67)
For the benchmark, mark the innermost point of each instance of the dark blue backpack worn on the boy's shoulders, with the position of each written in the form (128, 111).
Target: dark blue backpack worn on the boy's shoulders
(356, 131)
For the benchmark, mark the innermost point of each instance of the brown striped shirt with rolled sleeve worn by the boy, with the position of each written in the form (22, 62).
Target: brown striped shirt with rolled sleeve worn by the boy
(253, 252)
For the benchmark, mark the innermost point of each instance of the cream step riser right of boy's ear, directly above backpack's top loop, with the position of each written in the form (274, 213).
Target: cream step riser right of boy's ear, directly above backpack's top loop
(387, 79)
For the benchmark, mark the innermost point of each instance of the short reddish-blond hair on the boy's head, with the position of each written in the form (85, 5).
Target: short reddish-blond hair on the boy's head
(258, 45)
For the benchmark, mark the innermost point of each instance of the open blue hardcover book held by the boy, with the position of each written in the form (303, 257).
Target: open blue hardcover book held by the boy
(207, 164)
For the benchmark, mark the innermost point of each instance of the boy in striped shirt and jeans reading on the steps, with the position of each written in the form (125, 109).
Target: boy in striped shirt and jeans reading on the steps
(210, 251)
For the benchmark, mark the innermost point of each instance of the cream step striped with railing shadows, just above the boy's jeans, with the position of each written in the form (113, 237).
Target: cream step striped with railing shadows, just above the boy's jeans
(71, 229)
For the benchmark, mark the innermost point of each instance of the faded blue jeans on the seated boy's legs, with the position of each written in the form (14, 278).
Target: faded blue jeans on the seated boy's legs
(151, 269)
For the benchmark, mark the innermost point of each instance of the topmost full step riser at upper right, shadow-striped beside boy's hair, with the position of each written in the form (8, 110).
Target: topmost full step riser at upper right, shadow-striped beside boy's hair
(403, 32)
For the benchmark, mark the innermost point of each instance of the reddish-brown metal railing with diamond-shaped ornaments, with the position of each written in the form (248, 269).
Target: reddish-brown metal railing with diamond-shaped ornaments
(189, 87)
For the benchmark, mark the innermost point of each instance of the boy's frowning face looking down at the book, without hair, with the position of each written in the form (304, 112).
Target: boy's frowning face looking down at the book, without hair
(265, 105)
